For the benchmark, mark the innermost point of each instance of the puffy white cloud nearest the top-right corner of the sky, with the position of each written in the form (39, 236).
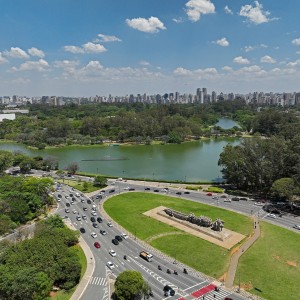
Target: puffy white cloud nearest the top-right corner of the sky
(255, 14)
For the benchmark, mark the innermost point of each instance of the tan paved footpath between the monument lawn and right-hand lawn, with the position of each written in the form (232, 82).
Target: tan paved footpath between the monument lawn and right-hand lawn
(237, 254)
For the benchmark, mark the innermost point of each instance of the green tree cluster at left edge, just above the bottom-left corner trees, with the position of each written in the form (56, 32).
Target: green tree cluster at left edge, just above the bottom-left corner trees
(22, 199)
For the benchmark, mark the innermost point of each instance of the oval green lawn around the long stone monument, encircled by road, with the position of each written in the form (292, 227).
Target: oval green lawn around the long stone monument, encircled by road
(127, 209)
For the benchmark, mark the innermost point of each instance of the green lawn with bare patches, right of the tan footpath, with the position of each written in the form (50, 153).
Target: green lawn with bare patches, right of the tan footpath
(272, 264)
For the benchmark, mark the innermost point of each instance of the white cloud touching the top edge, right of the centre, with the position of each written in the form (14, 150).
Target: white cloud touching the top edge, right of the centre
(196, 8)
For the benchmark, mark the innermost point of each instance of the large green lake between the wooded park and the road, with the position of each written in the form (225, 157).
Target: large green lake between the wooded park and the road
(192, 161)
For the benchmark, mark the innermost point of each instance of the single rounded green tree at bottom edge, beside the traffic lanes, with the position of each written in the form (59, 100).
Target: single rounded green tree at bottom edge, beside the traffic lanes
(130, 285)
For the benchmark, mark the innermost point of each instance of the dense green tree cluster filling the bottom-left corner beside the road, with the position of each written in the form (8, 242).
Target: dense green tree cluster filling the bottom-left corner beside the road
(29, 269)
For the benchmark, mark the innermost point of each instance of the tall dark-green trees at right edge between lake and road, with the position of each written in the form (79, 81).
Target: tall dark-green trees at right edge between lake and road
(268, 163)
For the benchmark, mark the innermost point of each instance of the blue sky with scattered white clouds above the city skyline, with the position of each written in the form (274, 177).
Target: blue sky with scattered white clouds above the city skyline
(119, 47)
